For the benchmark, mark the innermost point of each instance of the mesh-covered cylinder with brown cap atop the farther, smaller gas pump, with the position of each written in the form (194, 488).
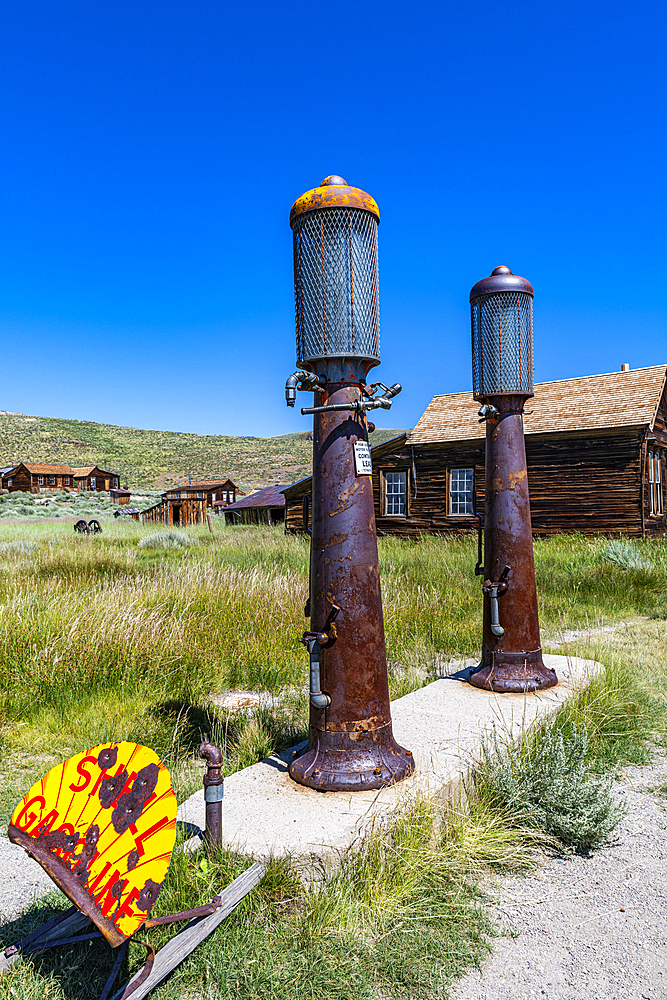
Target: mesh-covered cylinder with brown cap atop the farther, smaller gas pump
(501, 314)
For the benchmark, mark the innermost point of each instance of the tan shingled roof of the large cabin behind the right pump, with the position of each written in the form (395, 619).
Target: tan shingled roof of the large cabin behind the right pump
(594, 402)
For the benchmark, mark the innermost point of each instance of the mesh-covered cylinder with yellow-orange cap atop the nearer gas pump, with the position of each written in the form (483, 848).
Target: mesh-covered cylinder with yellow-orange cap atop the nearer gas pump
(336, 285)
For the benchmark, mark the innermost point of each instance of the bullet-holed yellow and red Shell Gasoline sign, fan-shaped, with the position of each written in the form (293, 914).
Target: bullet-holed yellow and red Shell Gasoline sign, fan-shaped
(103, 826)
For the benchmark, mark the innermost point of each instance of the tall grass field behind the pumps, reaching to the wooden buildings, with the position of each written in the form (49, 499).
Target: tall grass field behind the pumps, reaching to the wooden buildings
(103, 639)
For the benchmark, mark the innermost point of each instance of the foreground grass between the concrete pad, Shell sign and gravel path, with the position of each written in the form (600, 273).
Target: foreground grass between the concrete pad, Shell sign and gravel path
(399, 917)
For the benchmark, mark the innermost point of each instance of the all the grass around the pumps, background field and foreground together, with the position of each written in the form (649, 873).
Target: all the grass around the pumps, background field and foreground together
(101, 638)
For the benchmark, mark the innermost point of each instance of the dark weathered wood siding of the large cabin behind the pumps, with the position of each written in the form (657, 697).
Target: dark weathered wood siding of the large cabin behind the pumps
(581, 481)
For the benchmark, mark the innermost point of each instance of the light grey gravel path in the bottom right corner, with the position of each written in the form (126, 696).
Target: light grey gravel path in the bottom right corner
(588, 928)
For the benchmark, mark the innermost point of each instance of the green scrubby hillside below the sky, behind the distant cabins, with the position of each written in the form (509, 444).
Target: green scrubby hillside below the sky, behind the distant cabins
(160, 459)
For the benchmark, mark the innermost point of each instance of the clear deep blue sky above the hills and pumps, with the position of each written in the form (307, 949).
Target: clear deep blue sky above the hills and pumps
(151, 152)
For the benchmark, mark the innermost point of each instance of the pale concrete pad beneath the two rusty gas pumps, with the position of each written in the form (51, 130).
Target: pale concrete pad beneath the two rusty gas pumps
(265, 812)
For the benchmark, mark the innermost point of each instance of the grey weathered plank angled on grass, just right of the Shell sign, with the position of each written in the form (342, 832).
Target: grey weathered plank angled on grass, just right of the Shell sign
(184, 943)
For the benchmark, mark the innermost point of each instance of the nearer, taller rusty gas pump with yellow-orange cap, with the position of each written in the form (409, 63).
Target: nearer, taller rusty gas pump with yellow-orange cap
(351, 745)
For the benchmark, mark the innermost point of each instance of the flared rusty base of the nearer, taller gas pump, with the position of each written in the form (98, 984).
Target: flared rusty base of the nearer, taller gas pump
(366, 764)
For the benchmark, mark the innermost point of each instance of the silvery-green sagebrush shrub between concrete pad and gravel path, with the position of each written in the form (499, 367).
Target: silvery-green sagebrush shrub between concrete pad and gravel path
(548, 781)
